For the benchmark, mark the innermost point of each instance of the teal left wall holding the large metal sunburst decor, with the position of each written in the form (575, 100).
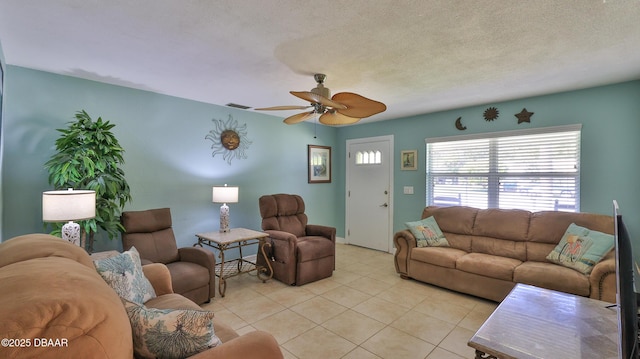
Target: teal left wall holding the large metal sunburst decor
(169, 162)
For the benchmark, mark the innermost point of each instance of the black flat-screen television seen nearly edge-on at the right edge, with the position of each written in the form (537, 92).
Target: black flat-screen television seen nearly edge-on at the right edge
(626, 295)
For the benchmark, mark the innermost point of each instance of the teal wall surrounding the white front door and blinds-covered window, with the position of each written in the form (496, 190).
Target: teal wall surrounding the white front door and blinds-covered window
(610, 118)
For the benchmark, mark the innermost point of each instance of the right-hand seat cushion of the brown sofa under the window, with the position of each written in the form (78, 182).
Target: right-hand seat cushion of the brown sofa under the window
(552, 276)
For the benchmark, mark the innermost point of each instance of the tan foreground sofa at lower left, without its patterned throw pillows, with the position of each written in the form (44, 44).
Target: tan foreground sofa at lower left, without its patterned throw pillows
(50, 289)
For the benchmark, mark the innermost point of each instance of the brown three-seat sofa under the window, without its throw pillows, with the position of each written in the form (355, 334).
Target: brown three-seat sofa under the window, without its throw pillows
(493, 249)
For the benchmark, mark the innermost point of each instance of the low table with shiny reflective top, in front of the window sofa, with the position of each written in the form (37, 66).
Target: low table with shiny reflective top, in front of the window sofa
(533, 322)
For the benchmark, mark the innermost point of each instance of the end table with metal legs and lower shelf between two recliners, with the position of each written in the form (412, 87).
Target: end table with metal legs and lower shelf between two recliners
(237, 238)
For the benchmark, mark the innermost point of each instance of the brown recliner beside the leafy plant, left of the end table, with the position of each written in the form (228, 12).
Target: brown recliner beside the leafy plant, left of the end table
(192, 268)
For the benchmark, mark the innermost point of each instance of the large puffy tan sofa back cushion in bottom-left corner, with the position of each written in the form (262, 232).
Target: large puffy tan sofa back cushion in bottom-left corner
(58, 298)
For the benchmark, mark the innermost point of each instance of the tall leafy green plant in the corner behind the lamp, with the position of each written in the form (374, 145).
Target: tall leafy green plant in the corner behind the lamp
(89, 157)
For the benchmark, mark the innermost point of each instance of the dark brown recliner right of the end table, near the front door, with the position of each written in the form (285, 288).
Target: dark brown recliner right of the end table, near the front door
(300, 253)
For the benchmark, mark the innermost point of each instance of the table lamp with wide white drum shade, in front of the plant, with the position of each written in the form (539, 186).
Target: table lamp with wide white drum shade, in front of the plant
(69, 205)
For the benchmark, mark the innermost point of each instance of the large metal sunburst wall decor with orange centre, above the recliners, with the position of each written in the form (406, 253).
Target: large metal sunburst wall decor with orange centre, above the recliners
(228, 139)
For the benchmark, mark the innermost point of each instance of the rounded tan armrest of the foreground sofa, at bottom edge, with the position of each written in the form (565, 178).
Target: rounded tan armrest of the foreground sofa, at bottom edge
(253, 345)
